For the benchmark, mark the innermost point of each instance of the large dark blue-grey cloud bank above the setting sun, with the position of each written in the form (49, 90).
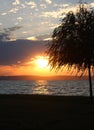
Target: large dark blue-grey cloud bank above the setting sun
(13, 51)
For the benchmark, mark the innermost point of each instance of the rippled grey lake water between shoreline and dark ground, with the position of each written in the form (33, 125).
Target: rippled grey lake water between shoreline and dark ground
(46, 87)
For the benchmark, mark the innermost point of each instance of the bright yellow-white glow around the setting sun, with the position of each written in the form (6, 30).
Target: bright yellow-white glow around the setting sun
(39, 65)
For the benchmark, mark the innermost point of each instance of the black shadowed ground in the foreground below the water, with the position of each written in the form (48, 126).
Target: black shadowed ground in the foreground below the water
(24, 112)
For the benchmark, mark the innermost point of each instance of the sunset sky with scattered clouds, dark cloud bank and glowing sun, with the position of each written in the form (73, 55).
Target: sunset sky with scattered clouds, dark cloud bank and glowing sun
(25, 27)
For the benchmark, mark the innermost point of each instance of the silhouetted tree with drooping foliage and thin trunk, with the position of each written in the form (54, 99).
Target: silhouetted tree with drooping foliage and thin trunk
(73, 42)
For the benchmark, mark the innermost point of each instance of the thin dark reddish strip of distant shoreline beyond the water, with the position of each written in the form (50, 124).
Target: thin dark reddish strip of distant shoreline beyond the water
(31, 77)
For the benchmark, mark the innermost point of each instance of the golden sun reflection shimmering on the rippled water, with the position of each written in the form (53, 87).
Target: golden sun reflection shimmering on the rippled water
(41, 87)
